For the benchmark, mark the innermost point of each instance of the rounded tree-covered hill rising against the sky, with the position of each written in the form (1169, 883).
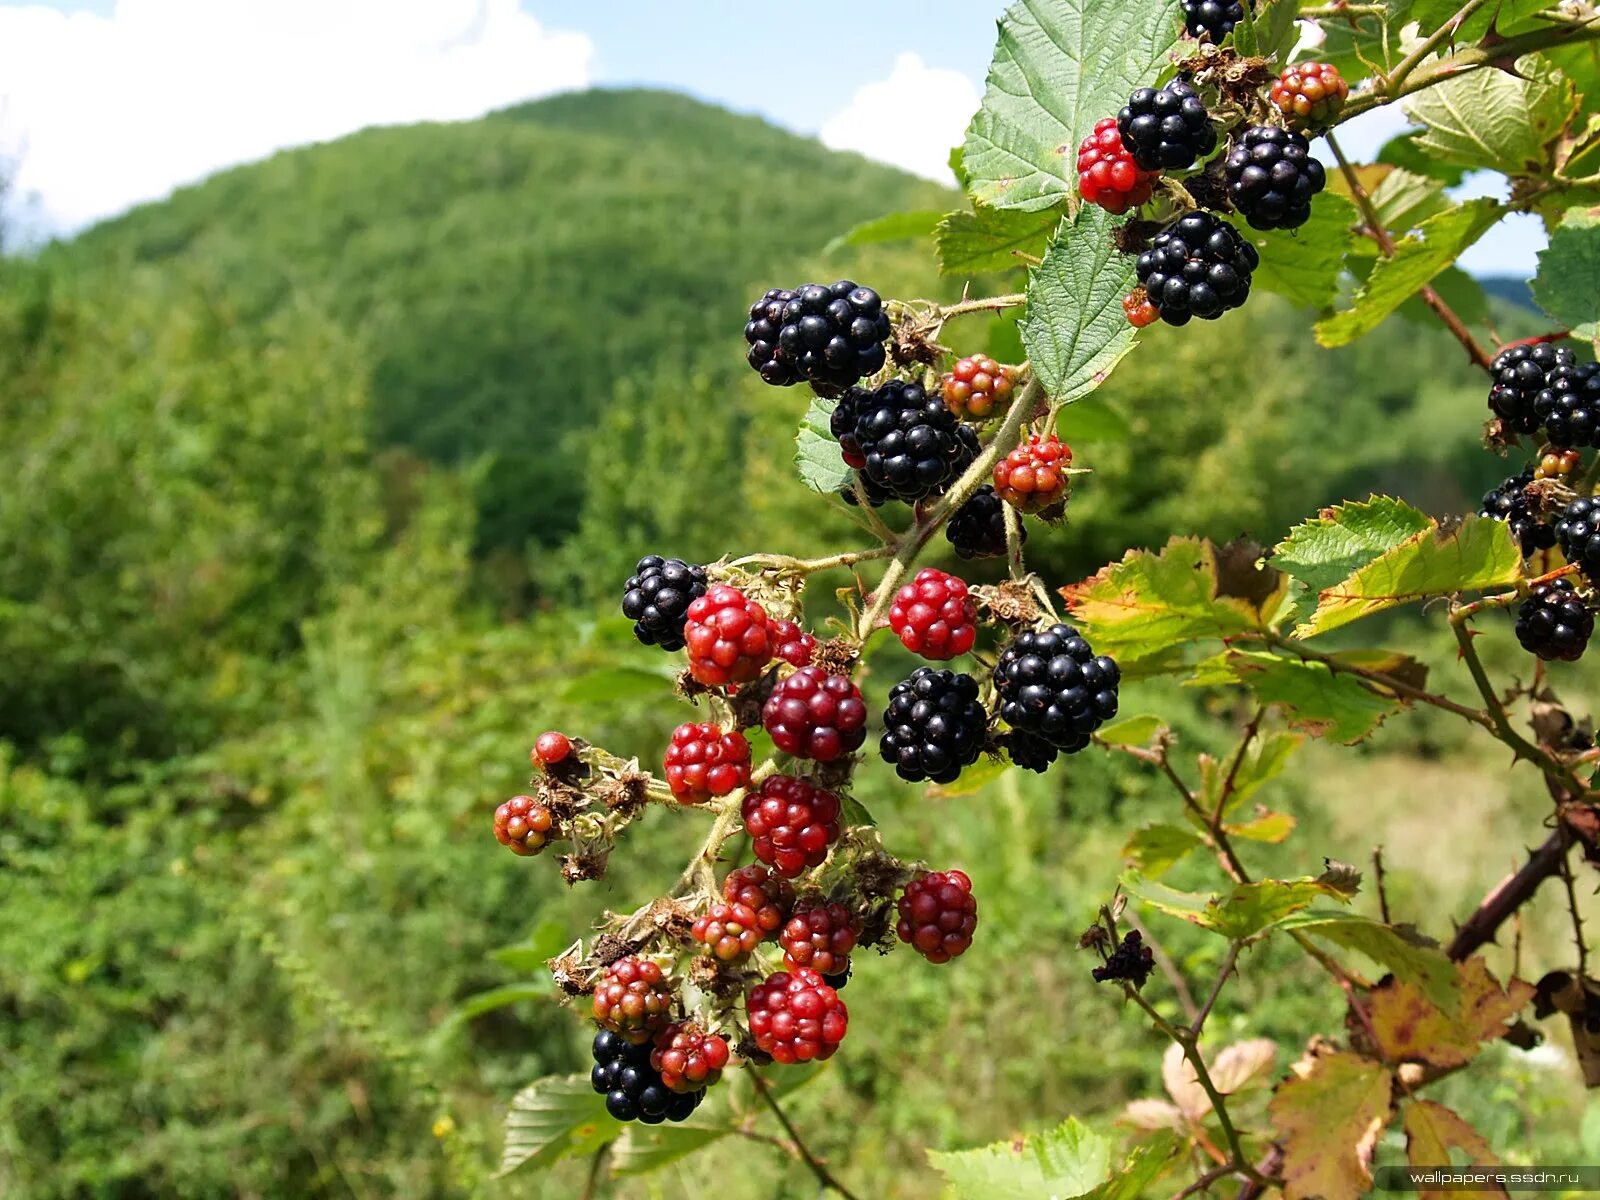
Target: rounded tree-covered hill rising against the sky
(508, 273)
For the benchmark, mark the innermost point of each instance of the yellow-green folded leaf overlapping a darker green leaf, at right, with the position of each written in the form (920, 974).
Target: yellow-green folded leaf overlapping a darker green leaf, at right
(1478, 554)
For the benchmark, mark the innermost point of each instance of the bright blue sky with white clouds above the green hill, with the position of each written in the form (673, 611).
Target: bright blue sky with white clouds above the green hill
(110, 103)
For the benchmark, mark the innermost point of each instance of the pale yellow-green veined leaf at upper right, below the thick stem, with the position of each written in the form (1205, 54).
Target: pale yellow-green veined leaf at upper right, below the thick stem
(1495, 119)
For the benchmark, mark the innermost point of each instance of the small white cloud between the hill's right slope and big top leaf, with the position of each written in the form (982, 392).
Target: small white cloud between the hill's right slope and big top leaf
(910, 119)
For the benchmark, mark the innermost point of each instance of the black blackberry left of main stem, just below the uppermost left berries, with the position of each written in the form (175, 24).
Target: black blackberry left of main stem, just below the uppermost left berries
(913, 446)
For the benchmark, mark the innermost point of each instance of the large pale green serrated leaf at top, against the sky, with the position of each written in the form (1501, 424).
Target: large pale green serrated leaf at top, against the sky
(1058, 68)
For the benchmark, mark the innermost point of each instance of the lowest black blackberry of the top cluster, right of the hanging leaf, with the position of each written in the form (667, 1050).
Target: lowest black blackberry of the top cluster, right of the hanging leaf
(1199, 268)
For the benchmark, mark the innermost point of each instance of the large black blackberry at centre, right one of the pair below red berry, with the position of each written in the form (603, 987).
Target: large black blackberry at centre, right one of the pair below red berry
(1054, 687)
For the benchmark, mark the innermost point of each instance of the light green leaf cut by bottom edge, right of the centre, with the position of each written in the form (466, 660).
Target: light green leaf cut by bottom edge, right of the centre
(1071, 1161)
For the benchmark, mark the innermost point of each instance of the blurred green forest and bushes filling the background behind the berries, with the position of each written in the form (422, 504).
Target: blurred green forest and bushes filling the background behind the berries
(321, 482)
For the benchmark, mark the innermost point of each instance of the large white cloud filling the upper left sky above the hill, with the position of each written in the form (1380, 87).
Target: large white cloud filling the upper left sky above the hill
(102, 113)
